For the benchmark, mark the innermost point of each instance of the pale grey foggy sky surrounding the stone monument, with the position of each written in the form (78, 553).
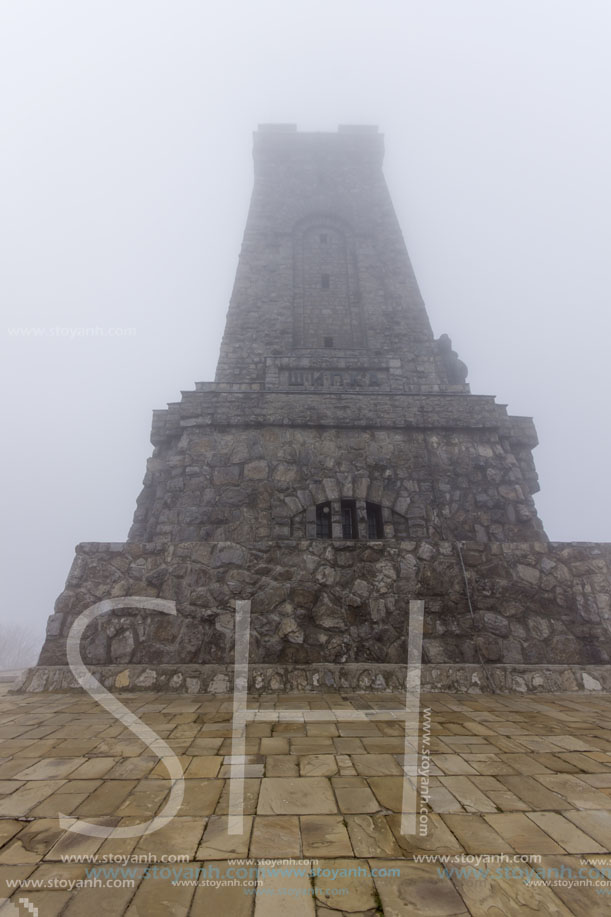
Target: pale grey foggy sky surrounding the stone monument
(125, 175)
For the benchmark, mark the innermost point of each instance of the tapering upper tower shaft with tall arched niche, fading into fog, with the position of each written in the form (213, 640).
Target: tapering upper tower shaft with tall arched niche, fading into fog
(324, 281)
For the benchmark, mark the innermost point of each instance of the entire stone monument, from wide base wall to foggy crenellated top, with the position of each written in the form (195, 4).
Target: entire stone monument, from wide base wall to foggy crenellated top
(337, 467)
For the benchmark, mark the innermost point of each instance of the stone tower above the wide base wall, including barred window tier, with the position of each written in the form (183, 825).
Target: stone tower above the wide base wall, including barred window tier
(333, 407)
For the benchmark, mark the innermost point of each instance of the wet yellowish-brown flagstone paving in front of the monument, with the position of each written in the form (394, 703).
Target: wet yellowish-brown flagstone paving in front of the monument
(522, 780)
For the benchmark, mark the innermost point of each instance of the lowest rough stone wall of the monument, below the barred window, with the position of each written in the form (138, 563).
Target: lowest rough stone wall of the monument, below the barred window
(321, 603)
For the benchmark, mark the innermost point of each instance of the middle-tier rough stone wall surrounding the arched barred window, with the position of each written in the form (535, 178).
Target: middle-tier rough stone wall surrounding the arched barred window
(222, 484)
